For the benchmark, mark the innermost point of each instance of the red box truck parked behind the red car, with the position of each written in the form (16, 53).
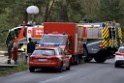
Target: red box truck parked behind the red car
(66, 35)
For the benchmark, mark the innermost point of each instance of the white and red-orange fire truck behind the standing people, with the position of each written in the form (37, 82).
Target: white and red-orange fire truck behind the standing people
(22, 33)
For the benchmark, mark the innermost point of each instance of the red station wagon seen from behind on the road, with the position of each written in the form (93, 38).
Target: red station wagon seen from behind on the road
(49, 57)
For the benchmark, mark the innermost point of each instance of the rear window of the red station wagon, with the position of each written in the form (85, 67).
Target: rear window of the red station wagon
(48, 52)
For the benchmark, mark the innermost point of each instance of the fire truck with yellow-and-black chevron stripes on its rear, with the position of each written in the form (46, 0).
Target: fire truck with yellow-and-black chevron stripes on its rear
(101, 40)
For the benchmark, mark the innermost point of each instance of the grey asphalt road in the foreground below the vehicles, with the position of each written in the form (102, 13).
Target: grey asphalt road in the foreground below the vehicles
(84, 73)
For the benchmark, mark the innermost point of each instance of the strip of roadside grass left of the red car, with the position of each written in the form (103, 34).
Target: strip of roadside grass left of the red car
(9, 71)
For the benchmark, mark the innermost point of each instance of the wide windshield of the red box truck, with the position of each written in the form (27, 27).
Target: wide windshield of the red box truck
(61, 40)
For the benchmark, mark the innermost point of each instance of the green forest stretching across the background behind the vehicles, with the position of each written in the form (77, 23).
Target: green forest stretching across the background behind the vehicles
(13, 12)
